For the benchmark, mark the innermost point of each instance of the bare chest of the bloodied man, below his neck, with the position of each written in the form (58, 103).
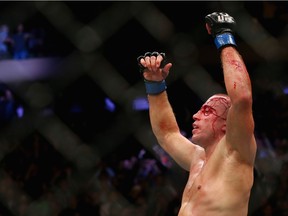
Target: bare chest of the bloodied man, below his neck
(208, 185)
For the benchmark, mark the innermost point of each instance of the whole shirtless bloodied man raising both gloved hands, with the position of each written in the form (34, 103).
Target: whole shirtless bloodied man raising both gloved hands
(220, 157)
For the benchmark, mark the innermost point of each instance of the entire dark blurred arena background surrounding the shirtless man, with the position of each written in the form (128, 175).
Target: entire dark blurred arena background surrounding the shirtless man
(75, 135)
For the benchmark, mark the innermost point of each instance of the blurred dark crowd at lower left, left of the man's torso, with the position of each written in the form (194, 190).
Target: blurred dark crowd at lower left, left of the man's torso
(37, 180)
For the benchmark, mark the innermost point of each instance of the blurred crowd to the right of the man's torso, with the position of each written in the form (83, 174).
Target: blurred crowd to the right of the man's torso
(271, 184)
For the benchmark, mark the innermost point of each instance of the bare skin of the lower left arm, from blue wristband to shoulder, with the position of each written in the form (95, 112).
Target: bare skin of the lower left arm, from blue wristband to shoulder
(167, 132)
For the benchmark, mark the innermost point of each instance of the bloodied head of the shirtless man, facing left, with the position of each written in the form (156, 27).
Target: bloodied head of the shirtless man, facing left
(210, 121)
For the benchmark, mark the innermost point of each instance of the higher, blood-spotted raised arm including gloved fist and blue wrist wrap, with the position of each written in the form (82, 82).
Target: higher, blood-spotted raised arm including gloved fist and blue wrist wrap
(240, 123)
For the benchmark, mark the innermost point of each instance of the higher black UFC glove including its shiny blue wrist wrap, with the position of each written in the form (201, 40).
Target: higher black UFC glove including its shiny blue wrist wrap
(222, 27)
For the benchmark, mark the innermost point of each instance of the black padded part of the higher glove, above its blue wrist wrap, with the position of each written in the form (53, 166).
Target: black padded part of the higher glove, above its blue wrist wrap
(220, 23)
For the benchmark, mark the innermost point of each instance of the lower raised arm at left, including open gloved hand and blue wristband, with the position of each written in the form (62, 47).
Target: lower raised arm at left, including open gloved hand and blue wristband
(163, 121)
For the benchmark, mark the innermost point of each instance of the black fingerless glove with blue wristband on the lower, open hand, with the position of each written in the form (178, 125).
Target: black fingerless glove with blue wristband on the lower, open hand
(153, 87)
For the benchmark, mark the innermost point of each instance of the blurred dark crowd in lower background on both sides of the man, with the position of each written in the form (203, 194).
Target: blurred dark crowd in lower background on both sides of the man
(37, 180)
